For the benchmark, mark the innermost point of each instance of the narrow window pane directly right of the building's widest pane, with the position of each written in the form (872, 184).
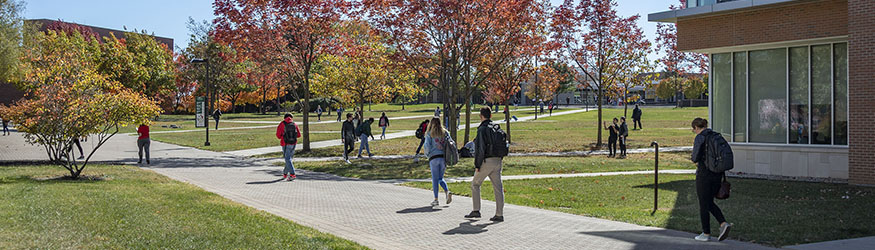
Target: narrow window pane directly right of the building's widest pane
(799, 124)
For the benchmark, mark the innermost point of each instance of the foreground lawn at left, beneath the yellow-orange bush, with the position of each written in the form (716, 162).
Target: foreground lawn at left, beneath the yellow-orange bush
(136, 209)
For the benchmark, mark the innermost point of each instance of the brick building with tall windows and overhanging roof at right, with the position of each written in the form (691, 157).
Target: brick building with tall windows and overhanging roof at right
(791, 82)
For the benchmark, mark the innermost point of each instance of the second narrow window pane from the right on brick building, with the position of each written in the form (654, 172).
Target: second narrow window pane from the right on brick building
(821, 94)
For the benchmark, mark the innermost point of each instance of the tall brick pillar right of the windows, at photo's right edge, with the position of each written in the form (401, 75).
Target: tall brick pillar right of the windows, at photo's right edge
(861, 80)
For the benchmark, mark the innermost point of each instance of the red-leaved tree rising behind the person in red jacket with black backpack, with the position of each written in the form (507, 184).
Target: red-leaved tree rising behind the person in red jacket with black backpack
(288, 35)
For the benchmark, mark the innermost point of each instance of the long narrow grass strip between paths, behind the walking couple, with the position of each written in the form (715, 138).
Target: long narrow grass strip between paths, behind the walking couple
(407, 169)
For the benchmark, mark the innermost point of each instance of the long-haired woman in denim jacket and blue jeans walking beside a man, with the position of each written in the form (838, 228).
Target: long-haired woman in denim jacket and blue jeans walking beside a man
(434, 149)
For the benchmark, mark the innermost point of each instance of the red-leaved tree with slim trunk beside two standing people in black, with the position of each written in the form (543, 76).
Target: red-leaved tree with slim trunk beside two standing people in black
(601, 43)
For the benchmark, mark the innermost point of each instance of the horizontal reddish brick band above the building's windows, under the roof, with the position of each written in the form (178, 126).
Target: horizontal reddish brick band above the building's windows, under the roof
(807, 20)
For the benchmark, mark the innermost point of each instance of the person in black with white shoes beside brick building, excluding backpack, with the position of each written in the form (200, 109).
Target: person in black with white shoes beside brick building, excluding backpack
(707, 182)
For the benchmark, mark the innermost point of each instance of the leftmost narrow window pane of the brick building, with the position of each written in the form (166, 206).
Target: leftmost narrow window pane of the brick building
(721, 70)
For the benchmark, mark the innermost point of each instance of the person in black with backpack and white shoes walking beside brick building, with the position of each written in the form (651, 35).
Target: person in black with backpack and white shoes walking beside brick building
(713, 157)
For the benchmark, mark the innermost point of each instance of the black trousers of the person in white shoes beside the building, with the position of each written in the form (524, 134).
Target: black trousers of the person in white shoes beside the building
(707, 185)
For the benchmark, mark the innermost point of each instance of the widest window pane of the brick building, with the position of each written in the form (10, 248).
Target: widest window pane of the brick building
(768, 96)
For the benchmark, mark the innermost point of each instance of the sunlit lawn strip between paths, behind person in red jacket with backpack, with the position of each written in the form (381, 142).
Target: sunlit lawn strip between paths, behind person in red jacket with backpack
(230, 140)
